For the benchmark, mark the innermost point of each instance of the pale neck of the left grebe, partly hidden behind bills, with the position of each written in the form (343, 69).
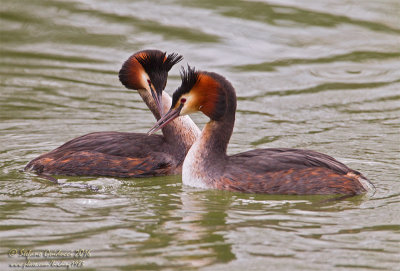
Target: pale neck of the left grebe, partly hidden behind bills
(182, 131)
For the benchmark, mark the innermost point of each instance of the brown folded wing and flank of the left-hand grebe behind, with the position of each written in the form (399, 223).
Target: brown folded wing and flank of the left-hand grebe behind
(107, 154)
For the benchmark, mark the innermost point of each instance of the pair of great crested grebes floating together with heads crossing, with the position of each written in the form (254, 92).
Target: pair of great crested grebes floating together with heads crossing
(273, 171)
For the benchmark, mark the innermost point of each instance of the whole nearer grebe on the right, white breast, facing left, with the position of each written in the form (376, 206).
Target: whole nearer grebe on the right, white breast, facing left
(271, 171)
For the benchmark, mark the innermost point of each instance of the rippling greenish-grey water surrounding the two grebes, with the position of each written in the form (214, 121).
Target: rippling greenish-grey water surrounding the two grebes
(321, 75)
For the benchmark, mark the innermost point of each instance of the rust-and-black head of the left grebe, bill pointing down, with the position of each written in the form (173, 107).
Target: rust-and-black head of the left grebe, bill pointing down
(147, 70)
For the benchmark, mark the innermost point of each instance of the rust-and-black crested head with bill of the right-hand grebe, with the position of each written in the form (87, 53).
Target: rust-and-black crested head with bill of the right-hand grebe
(199, 91)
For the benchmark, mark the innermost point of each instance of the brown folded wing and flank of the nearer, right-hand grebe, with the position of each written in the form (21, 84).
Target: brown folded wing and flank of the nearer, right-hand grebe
(288, 171)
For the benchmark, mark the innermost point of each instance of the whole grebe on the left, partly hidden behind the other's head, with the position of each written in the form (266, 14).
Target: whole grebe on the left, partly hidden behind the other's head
(128, 154)
